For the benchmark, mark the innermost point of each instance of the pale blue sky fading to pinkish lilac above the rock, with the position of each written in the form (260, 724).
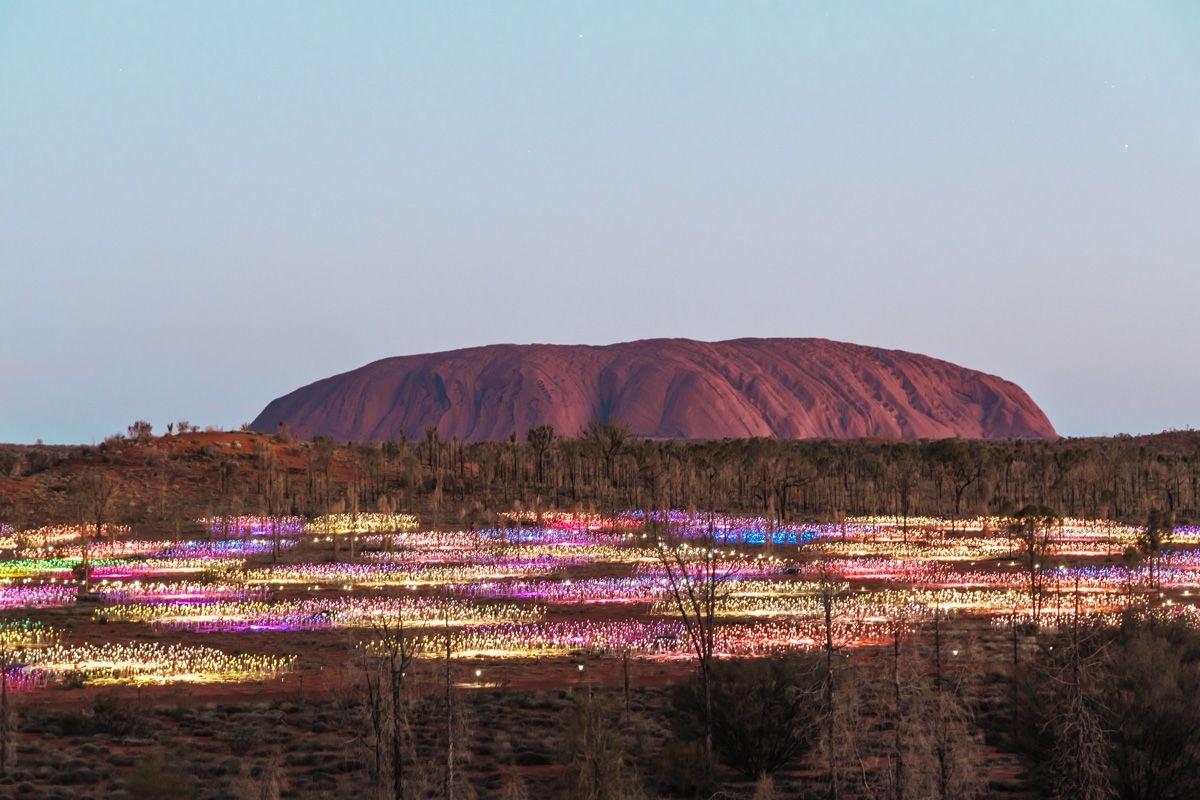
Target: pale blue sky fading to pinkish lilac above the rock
(206, 206)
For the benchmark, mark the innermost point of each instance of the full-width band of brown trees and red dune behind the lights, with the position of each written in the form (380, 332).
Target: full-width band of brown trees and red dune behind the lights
(605, 470)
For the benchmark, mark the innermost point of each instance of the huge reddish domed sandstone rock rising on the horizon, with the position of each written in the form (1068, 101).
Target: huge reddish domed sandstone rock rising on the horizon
(791, 389)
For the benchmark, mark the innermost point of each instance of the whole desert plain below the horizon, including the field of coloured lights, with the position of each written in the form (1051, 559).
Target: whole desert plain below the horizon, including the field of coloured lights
(303, 618)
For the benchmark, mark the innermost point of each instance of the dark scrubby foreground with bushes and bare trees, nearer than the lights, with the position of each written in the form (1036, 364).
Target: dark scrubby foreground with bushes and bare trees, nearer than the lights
(1094, 713)
